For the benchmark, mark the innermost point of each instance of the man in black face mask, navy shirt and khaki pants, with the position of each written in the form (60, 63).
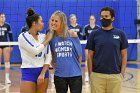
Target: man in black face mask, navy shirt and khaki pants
(107, 55)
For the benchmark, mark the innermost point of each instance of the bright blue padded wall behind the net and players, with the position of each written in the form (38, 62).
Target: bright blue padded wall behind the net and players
(125, 10)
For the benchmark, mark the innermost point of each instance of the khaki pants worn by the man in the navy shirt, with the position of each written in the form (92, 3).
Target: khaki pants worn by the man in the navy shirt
(105, 83)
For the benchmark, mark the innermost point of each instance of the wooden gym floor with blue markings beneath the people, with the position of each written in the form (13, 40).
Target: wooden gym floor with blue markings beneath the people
(131, 82)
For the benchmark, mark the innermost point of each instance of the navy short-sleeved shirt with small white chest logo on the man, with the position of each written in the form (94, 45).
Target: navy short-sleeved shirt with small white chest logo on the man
(107, 46)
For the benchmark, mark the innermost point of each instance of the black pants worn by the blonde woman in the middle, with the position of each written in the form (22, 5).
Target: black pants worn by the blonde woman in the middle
(62, 83)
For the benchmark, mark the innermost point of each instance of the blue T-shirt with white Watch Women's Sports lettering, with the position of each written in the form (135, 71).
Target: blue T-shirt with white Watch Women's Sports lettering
(66, 56)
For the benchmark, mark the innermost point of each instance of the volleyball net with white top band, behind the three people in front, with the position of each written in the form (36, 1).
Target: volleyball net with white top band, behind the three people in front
(133, 50)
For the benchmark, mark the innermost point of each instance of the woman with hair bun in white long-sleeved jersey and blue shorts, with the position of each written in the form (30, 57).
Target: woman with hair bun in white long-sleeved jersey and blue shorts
(35, 54)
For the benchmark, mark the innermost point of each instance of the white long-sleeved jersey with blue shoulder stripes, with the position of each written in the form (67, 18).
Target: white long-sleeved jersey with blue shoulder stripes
(33, 53)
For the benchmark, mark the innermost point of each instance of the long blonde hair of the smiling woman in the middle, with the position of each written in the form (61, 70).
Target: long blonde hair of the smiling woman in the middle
(64, 26)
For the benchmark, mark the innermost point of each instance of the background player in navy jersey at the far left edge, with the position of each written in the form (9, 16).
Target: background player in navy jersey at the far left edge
(5, 36)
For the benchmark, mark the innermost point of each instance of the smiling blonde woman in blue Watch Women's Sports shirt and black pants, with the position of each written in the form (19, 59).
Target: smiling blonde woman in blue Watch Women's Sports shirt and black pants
(67, 55)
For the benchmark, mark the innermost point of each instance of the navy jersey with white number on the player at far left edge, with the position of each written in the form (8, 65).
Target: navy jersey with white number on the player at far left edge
(5, 33)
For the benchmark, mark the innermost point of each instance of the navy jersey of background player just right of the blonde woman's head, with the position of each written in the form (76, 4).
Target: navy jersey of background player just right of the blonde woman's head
(77, 29)
